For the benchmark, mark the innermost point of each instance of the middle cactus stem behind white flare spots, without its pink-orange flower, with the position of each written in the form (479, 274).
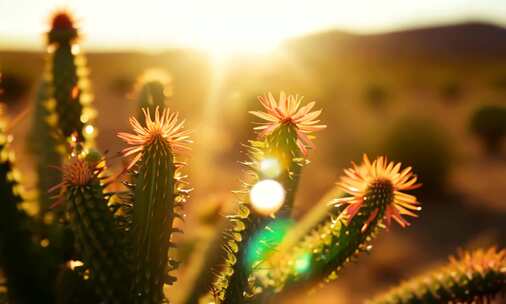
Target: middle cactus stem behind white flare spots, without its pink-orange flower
(246, 223)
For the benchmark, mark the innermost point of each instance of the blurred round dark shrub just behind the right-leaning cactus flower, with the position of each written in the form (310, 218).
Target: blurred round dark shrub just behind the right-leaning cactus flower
(422, 144)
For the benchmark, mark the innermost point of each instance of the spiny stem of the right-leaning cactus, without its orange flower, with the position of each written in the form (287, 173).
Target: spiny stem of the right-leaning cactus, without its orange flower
(324, 249)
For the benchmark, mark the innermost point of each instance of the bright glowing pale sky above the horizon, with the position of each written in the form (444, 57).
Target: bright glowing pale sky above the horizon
(229, 23)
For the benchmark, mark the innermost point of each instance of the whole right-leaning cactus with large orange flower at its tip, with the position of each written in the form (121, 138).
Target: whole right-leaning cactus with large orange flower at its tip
(373, 196)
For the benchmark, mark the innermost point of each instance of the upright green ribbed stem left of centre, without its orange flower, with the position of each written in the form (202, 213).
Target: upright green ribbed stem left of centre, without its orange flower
(153, 216)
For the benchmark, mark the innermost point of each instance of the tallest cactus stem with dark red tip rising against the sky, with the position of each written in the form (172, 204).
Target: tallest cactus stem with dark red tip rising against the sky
(66, 73)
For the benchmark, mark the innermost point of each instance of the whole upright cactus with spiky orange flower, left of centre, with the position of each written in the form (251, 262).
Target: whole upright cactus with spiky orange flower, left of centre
(158, 192)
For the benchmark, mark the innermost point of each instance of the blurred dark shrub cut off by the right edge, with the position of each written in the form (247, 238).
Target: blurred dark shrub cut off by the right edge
(488, 122)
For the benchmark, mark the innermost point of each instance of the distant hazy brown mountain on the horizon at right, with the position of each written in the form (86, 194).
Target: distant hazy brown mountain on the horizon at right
(460, 40)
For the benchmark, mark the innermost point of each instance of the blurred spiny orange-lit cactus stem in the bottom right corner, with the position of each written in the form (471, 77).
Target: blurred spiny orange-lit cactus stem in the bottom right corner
(472, 277)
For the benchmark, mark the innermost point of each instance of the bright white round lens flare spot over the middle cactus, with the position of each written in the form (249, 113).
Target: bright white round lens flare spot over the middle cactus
(267, 196)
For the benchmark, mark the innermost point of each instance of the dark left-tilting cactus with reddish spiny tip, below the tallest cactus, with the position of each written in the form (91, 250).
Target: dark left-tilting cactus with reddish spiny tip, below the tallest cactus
(102, 243)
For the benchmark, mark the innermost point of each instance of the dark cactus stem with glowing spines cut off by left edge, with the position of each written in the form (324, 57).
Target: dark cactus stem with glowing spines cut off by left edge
(22, 261)
